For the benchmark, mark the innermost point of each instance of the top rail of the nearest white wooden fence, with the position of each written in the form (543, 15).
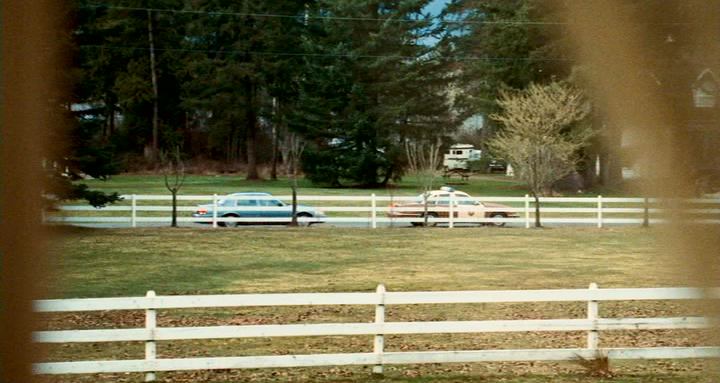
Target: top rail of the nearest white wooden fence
(397, 298)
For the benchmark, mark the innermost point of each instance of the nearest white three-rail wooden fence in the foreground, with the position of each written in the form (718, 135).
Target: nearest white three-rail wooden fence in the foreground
(151, 303)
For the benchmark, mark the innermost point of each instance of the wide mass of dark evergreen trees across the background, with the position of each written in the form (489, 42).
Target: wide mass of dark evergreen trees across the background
(224, 81)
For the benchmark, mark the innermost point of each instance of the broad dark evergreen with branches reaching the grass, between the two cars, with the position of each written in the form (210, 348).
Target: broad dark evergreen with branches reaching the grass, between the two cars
(368, 79)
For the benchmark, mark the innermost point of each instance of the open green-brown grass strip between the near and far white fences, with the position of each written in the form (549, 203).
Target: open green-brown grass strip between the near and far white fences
(129, 262)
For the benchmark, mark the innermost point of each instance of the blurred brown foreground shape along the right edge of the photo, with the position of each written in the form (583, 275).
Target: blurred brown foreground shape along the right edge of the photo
(643, 61)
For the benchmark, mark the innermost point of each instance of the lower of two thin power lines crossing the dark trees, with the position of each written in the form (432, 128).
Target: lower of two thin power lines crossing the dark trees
(309, 54)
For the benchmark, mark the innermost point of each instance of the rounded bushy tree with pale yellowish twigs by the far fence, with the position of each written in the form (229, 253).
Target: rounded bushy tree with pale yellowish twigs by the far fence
(543, 135)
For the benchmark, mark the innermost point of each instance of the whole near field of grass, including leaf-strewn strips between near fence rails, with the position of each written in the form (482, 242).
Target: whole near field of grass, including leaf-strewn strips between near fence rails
(93, 263)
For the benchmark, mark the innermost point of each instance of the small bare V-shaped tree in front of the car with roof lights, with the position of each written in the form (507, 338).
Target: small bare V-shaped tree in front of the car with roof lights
(424, 161)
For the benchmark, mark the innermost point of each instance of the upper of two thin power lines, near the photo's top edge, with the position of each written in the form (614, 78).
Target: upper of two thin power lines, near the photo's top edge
(310, 17)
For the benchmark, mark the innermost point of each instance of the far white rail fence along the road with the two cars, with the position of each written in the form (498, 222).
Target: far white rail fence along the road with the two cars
(371, 210)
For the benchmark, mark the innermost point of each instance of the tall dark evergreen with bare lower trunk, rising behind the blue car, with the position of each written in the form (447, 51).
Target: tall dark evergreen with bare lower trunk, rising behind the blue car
(243, 57)
